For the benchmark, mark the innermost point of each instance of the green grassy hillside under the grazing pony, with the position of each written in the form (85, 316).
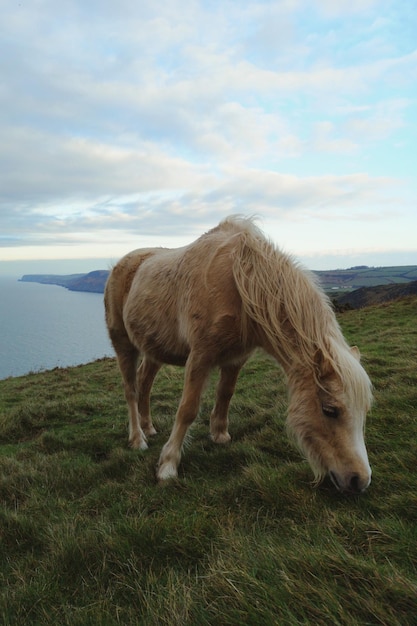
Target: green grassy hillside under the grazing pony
(87, 537)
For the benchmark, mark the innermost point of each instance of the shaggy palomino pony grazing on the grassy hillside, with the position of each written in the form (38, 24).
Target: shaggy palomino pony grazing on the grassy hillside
(210, 304)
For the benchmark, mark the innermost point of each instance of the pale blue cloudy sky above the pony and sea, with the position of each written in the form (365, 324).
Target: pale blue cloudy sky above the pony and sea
(133, 123)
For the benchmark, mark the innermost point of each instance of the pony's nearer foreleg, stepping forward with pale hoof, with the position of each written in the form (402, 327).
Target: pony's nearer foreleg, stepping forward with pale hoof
(195, 378)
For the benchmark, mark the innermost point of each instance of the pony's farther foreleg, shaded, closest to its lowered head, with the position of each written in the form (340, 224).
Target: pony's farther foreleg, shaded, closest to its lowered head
(225, 389)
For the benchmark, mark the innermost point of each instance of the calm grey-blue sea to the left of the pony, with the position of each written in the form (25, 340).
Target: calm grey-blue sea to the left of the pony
(46, 326)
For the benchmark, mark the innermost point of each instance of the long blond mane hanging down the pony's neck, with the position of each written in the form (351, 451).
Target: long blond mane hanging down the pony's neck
(287, 302)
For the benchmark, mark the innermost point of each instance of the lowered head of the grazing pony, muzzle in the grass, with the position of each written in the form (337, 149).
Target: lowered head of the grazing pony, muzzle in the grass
(326, 417)
